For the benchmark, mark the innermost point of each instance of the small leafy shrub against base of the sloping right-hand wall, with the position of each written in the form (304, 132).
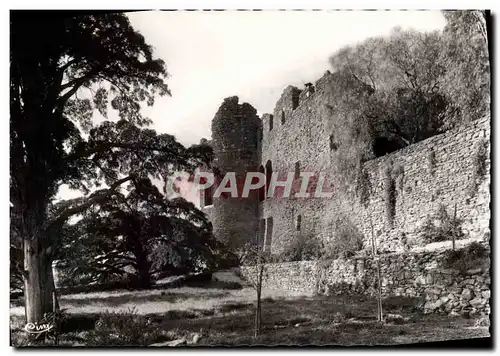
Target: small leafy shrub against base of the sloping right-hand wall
(441, 227)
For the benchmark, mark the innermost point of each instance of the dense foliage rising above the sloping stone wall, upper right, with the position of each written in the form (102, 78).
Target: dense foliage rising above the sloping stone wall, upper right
(397, 90)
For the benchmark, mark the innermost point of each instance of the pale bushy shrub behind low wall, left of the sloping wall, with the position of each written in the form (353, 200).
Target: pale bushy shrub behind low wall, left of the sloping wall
(346, 242)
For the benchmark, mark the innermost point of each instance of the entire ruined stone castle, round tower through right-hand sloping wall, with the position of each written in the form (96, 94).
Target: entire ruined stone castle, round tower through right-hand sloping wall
(301, 129)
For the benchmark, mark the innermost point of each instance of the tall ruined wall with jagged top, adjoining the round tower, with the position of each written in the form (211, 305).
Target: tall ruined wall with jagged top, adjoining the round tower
(302, 138)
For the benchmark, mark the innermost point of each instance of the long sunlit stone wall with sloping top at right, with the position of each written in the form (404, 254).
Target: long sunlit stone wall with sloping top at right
(422, 184)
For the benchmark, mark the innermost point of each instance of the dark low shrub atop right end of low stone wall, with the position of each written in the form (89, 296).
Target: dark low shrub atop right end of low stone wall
(470, 257)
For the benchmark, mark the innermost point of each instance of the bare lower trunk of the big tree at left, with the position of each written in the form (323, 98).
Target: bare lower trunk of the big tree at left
(38, 283)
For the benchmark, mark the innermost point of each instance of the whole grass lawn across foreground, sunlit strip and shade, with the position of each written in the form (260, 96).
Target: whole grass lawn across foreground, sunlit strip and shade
(219, 316)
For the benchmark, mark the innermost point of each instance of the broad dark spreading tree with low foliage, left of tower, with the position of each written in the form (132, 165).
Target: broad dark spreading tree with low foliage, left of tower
(138, 236)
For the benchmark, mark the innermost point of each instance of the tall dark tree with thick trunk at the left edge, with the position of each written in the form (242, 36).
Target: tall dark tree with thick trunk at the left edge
(65, 68)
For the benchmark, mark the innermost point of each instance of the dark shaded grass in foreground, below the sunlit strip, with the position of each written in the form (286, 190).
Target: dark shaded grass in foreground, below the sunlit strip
(320, 320)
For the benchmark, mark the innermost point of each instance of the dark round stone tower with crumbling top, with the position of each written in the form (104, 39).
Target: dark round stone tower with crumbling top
(236, 132)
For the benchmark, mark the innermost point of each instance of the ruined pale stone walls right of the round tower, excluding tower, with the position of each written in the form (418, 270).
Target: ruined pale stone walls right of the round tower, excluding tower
(435, 171)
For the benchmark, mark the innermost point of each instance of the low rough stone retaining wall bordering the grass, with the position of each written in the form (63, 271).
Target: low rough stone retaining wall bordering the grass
(411, 274)
